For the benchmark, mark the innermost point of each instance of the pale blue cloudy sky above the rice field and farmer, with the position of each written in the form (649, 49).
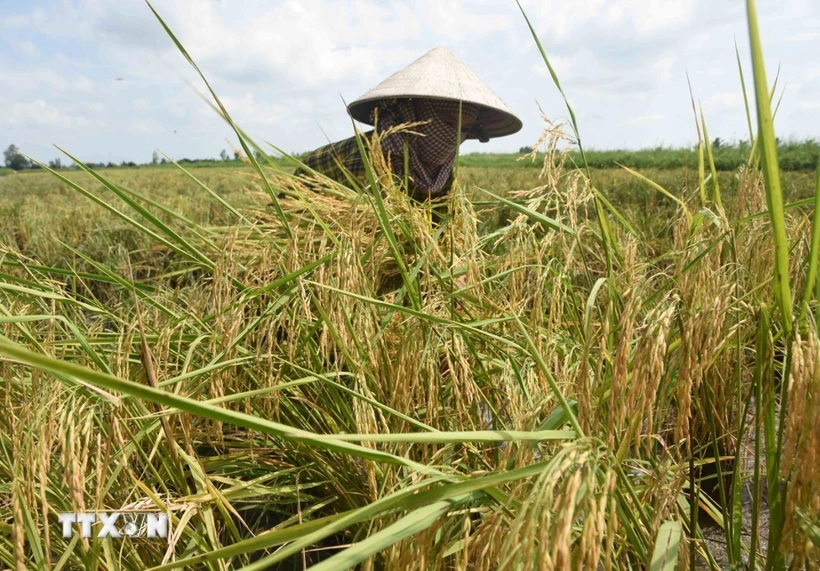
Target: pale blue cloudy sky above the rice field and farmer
(102, 80)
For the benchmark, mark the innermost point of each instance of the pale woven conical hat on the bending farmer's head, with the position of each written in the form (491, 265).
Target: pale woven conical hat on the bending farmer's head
(439, 74)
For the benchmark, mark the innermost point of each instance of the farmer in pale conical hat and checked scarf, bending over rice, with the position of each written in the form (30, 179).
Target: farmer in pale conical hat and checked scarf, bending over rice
(435, 89)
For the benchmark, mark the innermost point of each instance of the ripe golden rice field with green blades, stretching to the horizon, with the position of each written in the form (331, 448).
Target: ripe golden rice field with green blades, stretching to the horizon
(555, 368)
